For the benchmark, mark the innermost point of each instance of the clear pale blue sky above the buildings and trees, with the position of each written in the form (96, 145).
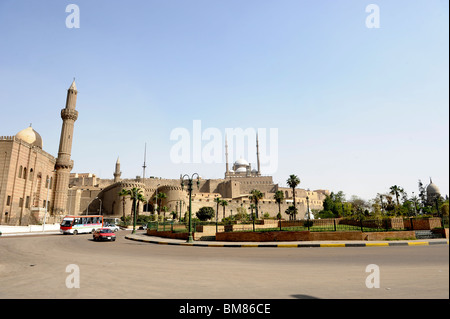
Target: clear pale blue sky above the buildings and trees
(356, 109)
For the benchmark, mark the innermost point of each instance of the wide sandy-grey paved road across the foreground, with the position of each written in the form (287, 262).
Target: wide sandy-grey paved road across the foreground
(35, 267)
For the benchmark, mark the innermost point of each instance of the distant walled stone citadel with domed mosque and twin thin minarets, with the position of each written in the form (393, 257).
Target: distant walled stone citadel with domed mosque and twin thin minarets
(89, 193)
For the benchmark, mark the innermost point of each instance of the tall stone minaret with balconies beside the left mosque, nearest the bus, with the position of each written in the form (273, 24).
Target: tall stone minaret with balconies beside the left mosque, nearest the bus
(64, 164)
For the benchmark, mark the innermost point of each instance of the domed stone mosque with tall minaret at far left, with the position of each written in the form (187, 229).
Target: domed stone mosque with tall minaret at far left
(32, 181)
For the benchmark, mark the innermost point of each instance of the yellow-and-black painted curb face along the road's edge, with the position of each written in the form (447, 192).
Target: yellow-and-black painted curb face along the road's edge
(294, 245)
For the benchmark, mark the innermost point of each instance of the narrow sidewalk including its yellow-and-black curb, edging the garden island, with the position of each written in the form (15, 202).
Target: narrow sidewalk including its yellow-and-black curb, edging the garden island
(142, 237)
